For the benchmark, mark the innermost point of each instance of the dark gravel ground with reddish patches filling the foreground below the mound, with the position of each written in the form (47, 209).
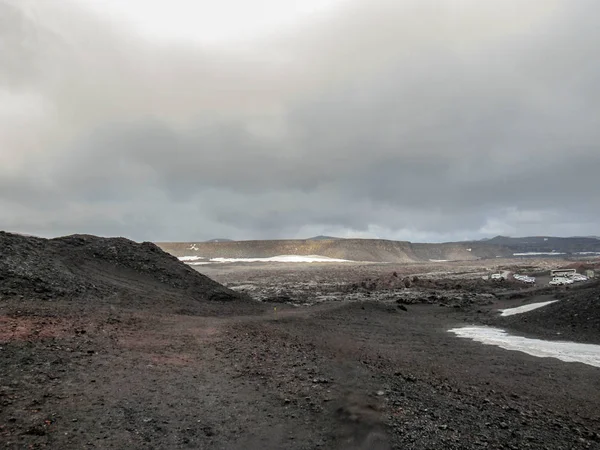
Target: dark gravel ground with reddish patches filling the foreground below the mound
(354, 376)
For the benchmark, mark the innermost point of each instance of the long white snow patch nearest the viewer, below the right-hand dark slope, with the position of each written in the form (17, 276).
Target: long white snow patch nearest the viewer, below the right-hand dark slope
(564, 351)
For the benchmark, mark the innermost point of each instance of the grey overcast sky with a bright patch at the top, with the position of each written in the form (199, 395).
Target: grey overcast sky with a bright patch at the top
(403, 119)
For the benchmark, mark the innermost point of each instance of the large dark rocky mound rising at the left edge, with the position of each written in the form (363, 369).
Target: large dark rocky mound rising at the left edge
(83, 266)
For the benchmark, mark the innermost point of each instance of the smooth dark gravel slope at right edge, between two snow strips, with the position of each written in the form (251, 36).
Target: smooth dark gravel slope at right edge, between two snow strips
(575, 317)
